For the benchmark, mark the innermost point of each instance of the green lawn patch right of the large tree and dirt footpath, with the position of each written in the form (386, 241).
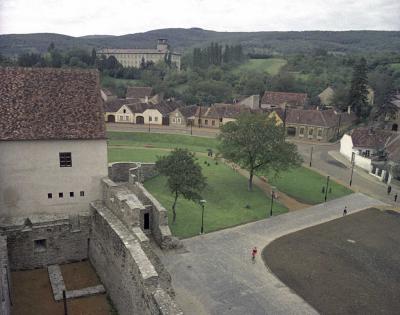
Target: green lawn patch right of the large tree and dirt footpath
(306, 185)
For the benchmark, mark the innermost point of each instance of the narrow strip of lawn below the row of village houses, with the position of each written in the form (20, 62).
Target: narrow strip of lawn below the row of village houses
(156, 140)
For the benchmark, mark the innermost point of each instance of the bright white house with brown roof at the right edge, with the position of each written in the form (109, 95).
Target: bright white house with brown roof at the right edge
(375, 151)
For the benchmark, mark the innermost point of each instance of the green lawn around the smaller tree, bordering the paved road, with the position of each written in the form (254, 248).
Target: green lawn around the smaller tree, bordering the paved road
(226, 196)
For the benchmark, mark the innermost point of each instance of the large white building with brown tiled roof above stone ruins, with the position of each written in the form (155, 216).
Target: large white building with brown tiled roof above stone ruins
(53, 149)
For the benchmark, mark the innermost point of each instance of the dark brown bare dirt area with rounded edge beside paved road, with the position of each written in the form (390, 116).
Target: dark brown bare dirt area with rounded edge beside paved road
(346, 266)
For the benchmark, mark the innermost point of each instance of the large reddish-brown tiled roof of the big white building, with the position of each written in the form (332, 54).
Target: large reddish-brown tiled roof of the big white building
(42, 104)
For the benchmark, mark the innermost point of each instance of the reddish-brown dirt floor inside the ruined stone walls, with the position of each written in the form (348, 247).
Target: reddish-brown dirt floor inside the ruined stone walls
(32, 294)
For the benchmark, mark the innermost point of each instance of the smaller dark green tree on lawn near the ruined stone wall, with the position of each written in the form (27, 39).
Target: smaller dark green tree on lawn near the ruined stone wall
(184, 176)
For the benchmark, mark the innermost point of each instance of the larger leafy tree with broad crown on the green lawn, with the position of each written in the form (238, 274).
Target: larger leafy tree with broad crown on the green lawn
(256, 143)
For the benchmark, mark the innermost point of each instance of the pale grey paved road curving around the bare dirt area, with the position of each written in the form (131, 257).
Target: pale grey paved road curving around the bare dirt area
(216, 275)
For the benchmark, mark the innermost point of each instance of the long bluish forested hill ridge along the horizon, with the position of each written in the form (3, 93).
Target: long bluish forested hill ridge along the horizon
(182, 39)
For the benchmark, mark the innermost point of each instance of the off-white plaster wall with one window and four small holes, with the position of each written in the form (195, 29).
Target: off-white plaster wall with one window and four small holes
(29, 170)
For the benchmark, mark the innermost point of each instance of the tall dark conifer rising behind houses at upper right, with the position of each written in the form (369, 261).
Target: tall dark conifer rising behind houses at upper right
(358, 95)
